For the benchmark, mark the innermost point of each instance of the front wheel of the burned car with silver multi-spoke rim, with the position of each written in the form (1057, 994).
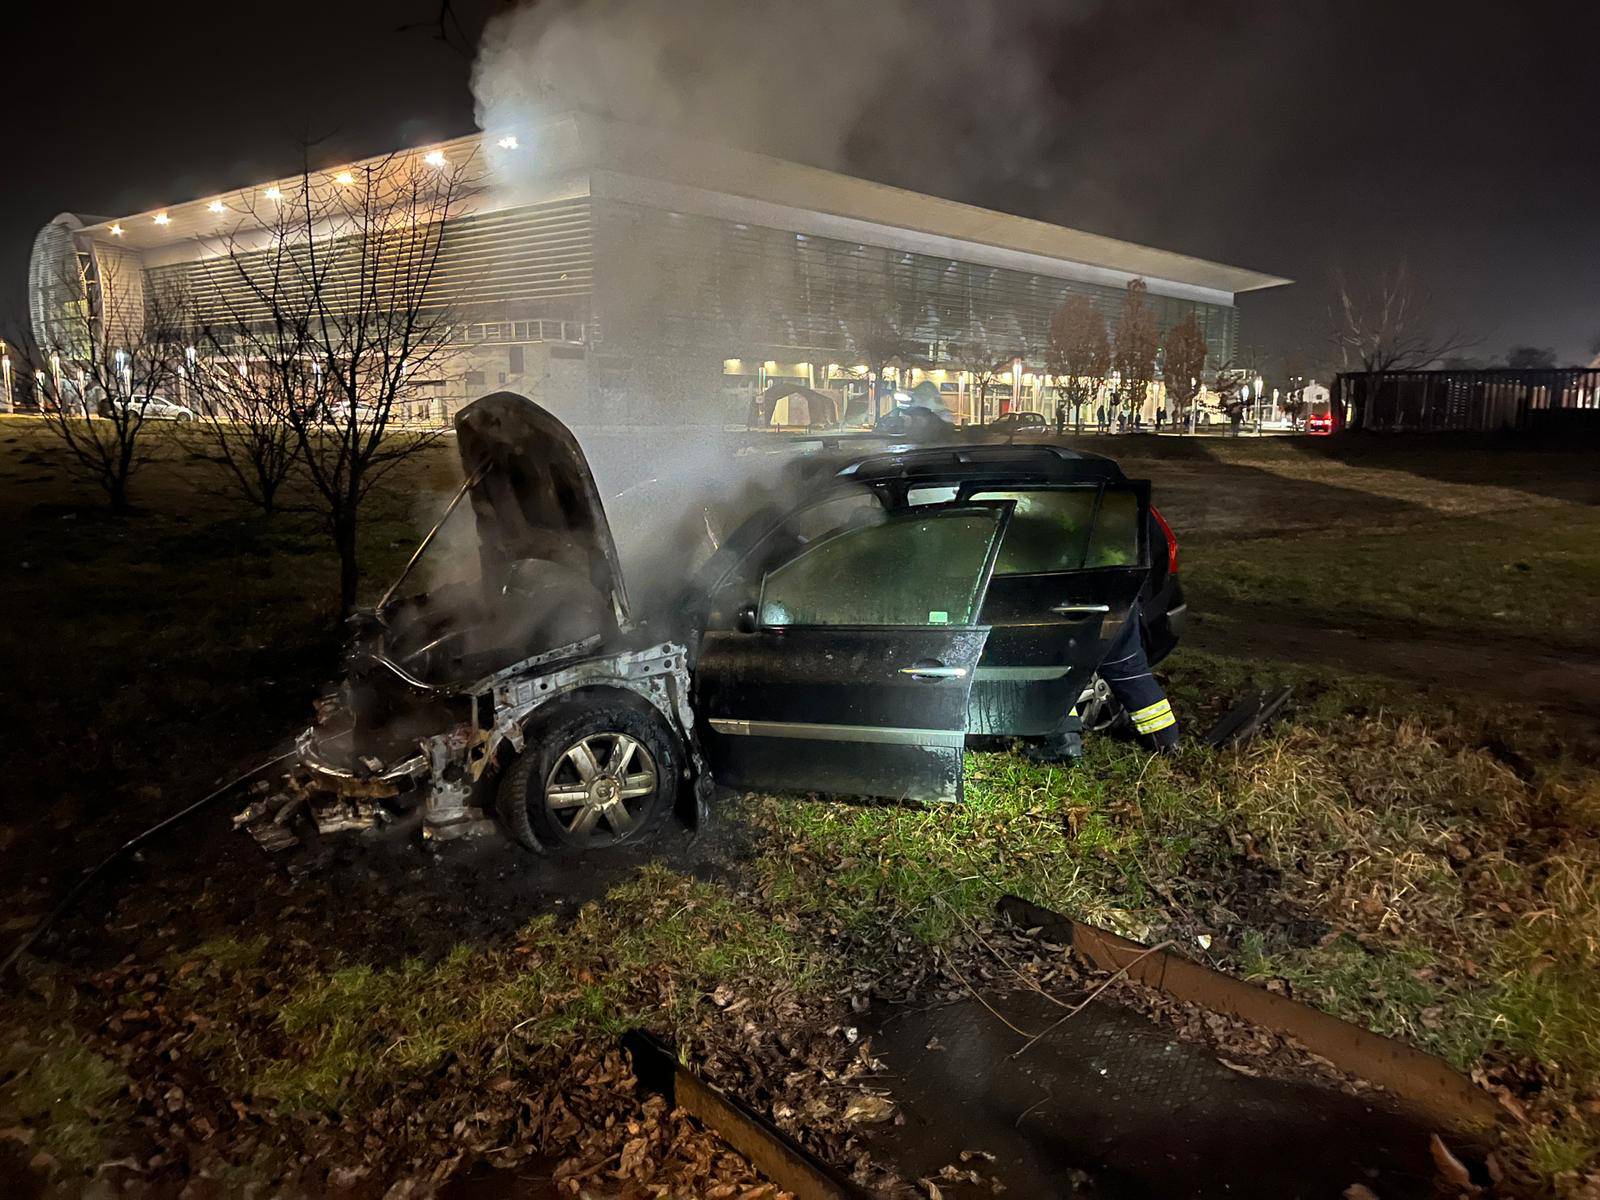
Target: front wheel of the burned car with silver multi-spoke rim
(566, 796)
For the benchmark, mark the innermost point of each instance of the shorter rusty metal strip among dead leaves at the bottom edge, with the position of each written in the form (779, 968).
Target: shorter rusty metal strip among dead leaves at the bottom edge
(767, 1148)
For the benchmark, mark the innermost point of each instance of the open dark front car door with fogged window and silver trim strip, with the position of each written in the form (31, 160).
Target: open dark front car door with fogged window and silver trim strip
(849, 671)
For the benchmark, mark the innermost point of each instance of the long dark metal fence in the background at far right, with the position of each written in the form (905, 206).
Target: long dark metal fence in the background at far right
(1465, 401)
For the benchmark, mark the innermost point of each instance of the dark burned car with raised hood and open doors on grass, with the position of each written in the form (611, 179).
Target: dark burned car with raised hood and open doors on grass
(847, 639)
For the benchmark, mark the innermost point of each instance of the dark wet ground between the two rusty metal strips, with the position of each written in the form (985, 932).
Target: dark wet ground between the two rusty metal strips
(1113, 1106)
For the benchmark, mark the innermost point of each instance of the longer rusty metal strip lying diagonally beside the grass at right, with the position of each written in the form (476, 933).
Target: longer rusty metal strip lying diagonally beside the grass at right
(1420, 1081)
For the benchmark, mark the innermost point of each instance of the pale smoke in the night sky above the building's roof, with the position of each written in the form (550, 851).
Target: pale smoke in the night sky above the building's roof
(828, 82)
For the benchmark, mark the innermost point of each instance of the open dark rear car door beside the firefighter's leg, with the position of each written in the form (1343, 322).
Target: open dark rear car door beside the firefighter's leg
(1065, 585)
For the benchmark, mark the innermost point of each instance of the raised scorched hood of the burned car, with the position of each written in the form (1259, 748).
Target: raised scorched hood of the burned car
(534, 495)
